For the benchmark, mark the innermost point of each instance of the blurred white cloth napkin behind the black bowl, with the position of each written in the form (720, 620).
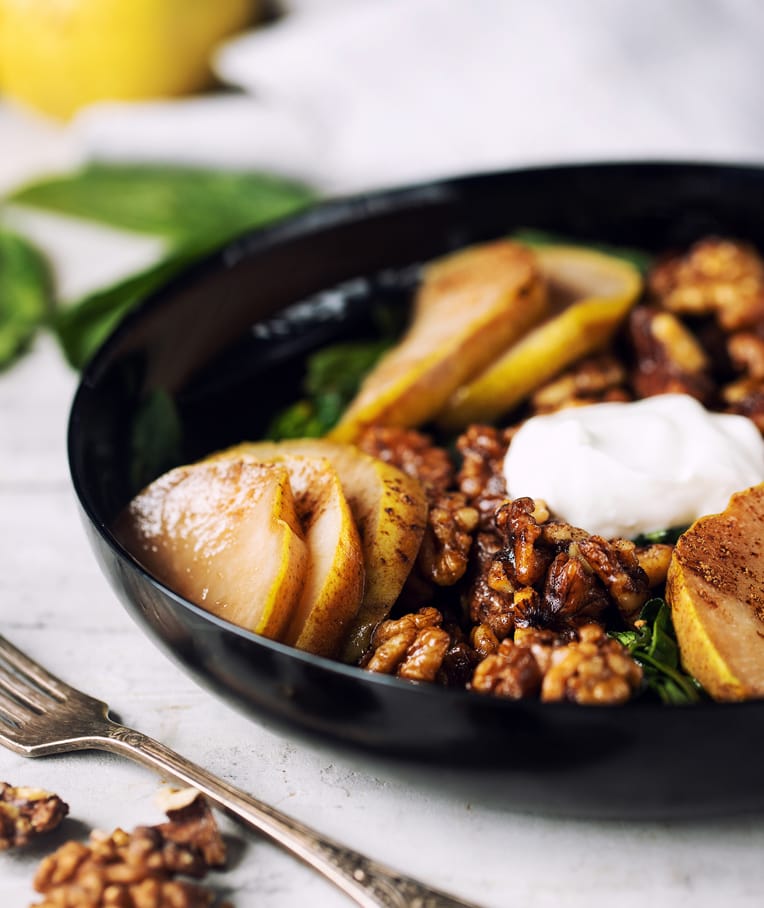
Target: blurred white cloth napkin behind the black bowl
(358, 94)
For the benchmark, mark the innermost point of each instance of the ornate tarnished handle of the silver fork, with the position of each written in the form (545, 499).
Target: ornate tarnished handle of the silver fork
(367, 882)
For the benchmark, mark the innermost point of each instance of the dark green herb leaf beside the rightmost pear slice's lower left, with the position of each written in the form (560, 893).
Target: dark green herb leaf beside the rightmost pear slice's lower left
(652, 643)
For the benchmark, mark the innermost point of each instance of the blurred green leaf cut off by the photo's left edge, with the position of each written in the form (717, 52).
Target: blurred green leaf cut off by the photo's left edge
(25, 294)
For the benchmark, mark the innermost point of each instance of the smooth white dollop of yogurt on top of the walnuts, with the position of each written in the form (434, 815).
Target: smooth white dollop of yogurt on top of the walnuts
(621, 469)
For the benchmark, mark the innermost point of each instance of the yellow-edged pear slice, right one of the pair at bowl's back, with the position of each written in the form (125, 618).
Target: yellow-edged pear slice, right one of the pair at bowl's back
(589, 296)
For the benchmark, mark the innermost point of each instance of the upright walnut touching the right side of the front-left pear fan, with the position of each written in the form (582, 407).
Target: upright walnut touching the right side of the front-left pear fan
(445, 548)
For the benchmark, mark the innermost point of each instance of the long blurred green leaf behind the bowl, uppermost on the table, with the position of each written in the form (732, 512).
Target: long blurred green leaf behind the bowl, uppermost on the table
(185, 204)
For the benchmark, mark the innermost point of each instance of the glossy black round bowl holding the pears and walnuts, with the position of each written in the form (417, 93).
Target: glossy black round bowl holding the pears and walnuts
(206, 362)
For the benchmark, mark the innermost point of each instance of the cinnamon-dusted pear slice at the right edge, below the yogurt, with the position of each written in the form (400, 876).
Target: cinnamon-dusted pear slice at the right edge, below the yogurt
(715, 588)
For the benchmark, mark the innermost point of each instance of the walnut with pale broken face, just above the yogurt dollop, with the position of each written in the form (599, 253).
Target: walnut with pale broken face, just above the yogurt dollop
(669, 358)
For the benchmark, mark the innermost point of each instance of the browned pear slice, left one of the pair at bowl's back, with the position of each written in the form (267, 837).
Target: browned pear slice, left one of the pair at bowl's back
(471, 306)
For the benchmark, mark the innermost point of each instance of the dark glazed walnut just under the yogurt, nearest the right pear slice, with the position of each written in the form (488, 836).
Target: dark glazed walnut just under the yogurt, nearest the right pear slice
(617, 566)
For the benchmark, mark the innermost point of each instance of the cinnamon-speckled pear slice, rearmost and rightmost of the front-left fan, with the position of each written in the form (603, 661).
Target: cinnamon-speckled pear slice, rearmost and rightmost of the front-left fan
(390, 510)
